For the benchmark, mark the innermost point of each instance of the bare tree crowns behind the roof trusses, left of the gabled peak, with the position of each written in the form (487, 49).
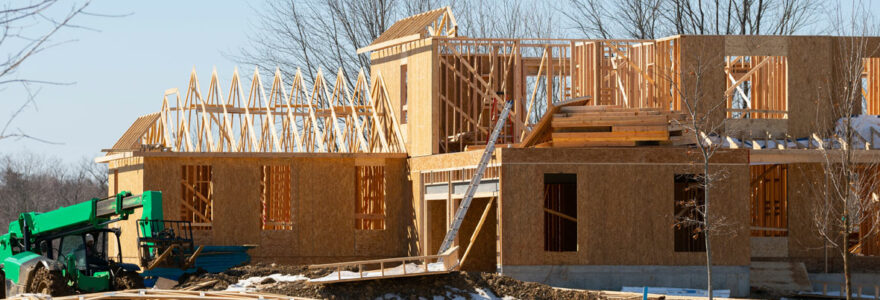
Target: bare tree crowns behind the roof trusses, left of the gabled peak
(314, 34)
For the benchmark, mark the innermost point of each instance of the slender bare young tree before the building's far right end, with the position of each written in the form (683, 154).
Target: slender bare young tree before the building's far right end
(846, 191)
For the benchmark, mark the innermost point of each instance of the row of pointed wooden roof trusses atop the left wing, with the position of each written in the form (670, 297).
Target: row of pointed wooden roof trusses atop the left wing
(317, 117)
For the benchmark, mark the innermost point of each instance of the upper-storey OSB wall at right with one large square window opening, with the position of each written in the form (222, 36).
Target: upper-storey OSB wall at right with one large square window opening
(813, 67)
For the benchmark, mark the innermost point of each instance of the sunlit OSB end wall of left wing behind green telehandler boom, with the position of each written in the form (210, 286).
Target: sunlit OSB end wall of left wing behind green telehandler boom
(130, 178)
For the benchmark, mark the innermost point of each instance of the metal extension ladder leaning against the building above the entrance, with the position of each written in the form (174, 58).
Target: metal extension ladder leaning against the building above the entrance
(475, 181)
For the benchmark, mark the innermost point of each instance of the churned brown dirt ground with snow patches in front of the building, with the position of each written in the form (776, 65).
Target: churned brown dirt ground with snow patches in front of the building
(448, 285)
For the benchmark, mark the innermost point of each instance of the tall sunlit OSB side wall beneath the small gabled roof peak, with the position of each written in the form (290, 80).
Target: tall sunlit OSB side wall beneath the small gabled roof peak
(422, 134)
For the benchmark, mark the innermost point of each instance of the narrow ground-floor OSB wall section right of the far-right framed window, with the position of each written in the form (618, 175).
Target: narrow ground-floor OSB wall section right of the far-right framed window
(803, 238)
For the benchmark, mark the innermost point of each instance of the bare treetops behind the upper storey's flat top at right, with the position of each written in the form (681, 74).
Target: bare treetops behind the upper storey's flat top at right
(648, 19)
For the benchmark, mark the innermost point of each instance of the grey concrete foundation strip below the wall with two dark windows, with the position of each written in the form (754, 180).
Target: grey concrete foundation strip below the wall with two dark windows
(733, 278)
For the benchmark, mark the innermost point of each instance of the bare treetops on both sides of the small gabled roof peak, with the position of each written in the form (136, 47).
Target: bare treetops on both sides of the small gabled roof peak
(327, 33)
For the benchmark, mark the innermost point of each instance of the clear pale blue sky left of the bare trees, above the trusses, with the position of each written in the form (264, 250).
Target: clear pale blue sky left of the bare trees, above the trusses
(121, 71)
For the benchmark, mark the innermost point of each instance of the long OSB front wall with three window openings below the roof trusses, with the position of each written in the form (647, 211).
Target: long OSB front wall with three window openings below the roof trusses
(322, 199)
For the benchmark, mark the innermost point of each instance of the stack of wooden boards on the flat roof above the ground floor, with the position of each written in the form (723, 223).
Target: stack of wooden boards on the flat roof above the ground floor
(598, 126)
